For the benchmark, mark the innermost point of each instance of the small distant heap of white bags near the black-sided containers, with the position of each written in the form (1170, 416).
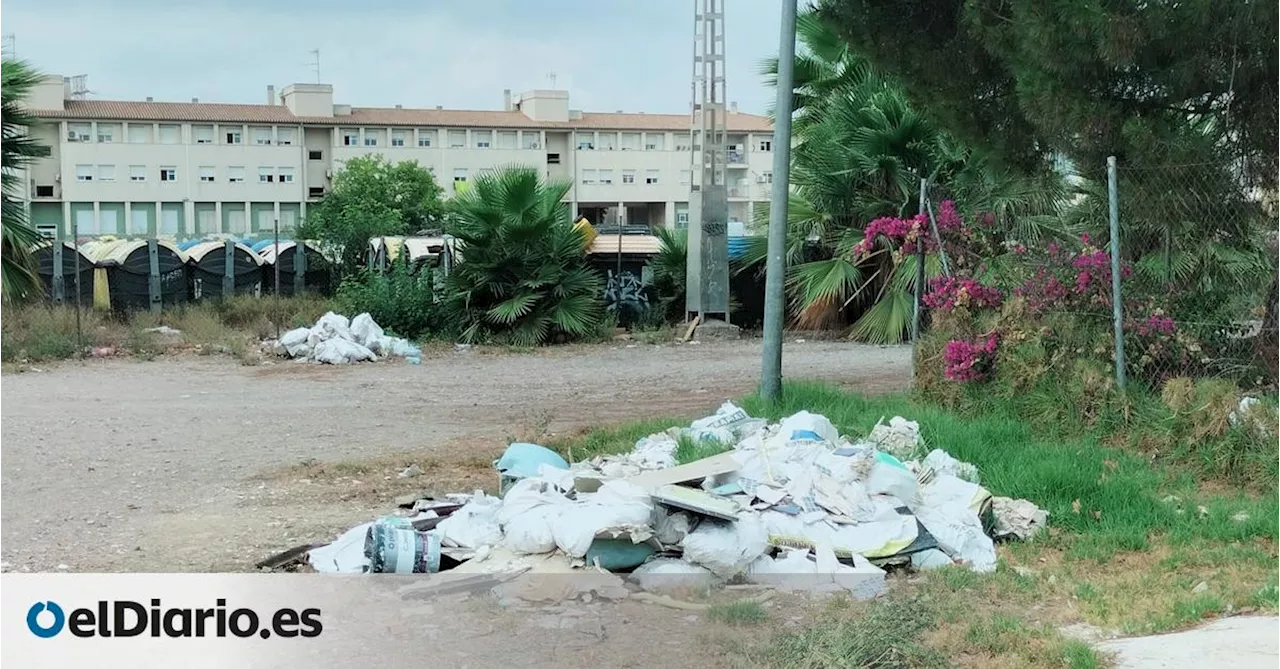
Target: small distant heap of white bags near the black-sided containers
(336, 341)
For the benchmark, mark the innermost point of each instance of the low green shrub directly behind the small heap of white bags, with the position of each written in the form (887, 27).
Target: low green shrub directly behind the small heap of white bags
(403, 301)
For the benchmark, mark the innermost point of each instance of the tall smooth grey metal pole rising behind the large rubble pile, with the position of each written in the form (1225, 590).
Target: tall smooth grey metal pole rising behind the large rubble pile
(775, 278)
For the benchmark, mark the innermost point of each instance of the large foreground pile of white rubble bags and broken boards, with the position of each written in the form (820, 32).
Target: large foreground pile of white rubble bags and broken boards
(792, 506)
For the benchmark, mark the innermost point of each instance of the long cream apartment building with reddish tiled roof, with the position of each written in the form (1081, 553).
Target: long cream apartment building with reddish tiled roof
(196, 169)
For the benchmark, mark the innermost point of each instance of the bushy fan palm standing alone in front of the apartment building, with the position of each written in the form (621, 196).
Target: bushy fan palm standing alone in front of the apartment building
(524, 273)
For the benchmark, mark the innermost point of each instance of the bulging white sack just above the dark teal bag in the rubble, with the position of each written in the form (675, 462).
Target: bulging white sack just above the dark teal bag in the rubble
(616, 505)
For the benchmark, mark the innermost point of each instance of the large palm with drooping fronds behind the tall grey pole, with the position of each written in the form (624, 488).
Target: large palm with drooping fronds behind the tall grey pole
(861, 152)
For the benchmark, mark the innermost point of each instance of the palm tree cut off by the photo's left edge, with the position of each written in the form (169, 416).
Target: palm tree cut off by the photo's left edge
(19, 278)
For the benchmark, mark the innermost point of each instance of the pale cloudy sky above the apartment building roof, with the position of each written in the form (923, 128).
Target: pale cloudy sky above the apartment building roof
(632, 56)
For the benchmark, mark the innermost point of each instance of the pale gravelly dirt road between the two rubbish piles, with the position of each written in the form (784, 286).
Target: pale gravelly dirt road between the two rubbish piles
(167, 466)
